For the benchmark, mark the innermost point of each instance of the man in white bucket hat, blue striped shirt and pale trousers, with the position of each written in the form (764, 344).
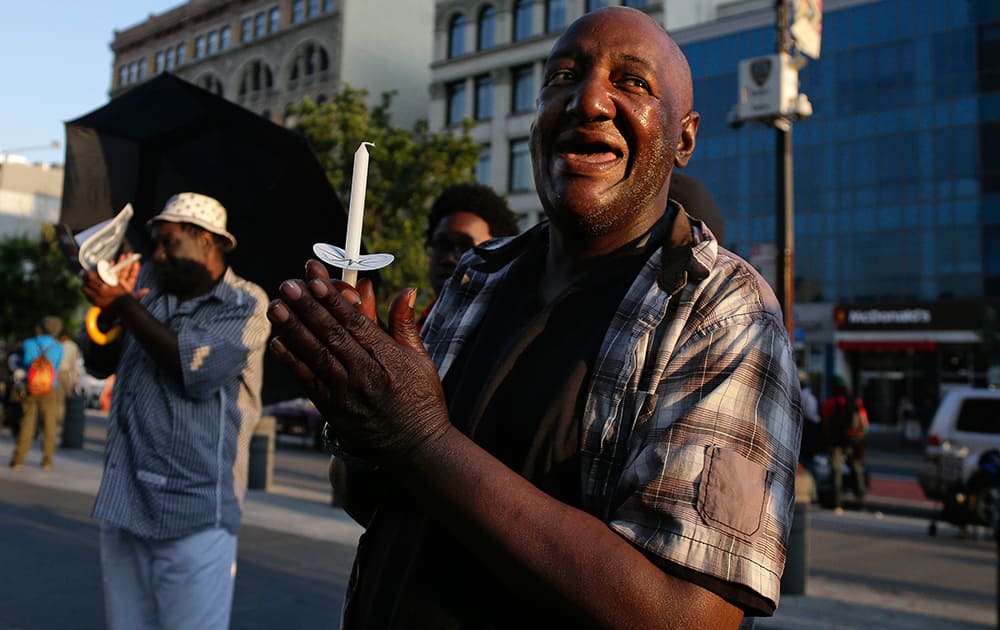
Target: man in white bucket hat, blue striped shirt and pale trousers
(187, 396)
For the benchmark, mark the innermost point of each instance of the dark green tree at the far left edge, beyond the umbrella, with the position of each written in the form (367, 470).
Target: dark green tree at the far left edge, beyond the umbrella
(35, 281)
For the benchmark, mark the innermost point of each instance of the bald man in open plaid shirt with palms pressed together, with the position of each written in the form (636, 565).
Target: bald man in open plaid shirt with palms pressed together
(603, 429)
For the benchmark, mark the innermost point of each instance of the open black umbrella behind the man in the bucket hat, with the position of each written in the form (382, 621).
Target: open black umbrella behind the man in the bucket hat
(167, 136)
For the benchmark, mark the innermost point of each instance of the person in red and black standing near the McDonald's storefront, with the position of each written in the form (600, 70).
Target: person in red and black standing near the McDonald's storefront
(845, 423)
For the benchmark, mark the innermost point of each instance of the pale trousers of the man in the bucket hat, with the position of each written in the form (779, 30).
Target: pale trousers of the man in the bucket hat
(180, 584)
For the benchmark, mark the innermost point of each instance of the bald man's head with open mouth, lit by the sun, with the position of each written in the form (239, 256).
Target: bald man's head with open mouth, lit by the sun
(612, 120)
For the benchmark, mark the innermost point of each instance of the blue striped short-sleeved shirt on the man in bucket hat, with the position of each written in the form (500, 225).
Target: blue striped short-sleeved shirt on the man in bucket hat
(176, 454)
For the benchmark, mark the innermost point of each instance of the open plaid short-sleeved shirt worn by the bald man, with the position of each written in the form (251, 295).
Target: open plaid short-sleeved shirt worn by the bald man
(692, 419)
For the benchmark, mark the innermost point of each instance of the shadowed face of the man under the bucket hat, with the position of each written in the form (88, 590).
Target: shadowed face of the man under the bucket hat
(180, 258)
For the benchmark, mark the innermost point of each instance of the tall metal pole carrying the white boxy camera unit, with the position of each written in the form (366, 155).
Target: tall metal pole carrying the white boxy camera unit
(784, 196)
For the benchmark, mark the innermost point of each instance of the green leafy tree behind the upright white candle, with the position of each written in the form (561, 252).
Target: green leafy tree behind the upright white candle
(408, 169)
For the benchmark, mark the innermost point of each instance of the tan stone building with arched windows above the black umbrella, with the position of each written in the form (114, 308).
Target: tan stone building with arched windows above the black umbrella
(270, 54)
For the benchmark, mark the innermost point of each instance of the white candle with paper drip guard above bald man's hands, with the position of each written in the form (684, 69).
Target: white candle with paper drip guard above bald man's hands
(349, 258)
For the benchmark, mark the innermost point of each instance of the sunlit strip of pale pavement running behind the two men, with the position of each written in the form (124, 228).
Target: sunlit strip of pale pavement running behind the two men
(827, 605)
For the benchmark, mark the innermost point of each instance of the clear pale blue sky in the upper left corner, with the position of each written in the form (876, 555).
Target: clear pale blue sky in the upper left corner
(55, 65)
